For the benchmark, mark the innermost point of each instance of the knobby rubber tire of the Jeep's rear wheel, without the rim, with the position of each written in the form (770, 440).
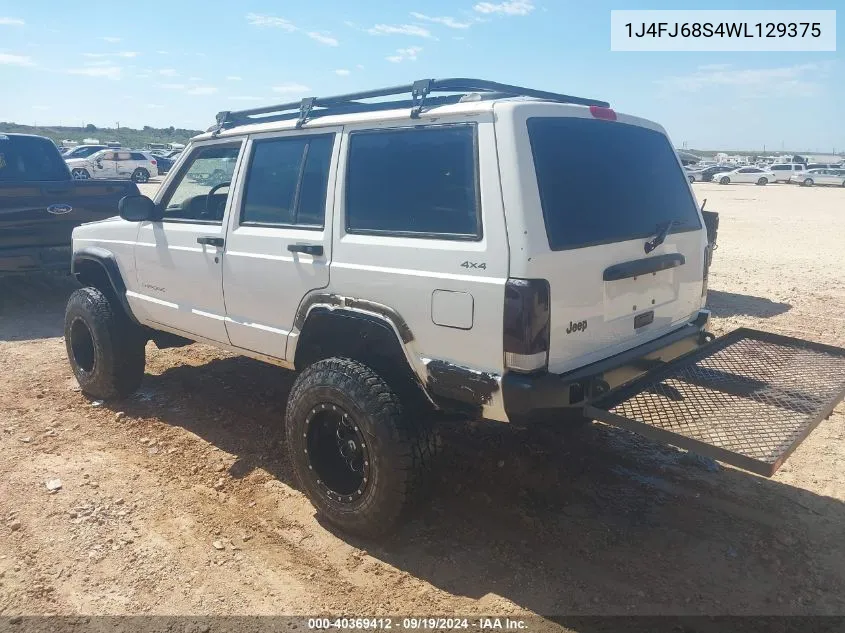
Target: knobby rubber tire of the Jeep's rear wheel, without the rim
(401, 445)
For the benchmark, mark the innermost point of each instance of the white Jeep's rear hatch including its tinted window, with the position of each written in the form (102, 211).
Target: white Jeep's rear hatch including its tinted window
(594, 191)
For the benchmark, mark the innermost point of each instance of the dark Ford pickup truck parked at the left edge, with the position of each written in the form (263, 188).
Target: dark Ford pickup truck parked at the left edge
(40, 205)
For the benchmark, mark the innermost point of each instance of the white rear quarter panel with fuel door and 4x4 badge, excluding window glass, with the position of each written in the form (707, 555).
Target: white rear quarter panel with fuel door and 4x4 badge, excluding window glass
(415, 276)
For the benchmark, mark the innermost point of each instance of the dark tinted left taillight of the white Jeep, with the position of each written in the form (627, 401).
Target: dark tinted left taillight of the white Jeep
(526, 324)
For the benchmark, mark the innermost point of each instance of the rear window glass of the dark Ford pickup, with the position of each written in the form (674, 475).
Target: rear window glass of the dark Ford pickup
(26, 158)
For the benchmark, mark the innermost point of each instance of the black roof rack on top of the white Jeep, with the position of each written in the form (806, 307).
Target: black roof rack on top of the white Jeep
(419, 91)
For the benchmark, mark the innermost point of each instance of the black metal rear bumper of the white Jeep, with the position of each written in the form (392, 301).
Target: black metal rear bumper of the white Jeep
(528, 397)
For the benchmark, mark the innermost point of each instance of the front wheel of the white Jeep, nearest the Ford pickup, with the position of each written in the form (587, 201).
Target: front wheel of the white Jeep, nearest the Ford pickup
(105, 349)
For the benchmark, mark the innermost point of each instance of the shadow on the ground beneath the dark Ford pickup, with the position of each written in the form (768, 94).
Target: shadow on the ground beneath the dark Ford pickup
(32, 306)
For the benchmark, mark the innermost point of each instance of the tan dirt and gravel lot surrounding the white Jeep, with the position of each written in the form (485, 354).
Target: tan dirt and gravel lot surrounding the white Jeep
(181, 500)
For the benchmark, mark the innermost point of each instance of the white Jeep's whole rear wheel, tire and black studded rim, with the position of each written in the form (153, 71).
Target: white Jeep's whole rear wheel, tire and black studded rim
(360, 457)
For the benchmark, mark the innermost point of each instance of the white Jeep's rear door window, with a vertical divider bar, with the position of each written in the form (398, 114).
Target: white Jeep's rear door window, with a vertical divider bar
(286, 182)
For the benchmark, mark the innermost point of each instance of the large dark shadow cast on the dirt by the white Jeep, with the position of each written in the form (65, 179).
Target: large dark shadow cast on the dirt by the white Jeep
(596, 522)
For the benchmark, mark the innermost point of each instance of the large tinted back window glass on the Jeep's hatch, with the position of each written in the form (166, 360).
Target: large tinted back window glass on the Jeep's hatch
(602, 182)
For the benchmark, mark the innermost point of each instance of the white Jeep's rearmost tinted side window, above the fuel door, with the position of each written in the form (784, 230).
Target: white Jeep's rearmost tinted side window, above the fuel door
(419, 182)
